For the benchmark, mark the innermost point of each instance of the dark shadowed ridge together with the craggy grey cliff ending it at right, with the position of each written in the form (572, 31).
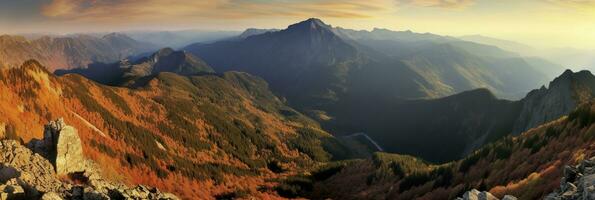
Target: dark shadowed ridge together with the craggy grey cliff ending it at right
(449, 128)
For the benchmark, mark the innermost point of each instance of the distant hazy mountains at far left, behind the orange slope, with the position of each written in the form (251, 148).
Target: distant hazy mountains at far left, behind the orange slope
(71, 51)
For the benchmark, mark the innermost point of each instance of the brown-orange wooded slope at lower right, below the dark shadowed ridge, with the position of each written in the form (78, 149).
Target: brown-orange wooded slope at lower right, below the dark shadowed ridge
(528, 166)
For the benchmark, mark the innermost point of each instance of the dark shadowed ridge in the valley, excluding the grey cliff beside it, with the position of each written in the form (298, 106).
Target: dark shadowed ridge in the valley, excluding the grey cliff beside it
(442, 129)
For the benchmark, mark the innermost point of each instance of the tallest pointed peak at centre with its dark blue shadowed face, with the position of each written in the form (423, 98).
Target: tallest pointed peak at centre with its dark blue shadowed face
(307, 63)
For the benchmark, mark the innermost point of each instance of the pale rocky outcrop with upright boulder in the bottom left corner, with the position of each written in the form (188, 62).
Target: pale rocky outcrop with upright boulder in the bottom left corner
(54, 168)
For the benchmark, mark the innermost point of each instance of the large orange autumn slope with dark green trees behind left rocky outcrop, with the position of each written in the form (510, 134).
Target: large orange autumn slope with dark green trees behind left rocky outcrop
(224, 134)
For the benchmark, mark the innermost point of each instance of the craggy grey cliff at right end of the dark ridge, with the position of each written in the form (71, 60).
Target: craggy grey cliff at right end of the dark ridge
(562, 96)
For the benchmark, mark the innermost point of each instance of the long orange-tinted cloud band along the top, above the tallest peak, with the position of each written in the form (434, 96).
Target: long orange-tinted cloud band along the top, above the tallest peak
(118, 10)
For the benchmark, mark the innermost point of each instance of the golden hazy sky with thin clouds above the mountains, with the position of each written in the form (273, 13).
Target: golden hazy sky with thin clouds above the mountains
(540, 23)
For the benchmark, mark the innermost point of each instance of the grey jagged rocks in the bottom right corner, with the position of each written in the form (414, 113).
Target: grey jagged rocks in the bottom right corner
(578, 182)
